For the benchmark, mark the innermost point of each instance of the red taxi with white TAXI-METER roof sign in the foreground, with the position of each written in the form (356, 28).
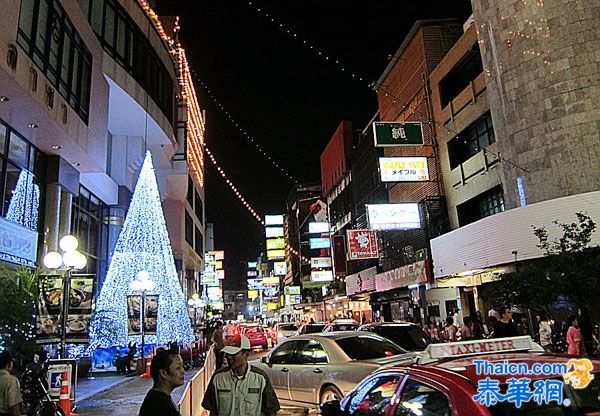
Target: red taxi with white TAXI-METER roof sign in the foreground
(443, 382)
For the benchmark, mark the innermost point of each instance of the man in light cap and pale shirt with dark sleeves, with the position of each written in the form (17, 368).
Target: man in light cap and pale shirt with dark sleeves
(240, 389)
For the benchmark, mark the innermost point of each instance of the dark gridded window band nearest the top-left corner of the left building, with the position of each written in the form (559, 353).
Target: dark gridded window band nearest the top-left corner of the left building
(49, 38)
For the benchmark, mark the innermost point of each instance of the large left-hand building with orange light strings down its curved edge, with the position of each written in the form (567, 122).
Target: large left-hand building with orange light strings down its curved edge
(88, 87)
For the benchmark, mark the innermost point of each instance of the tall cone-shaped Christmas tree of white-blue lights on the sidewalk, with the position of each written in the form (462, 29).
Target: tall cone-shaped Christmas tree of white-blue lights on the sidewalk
(143, 245)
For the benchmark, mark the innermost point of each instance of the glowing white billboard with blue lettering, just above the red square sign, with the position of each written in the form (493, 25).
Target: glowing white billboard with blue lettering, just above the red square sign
(402, 216)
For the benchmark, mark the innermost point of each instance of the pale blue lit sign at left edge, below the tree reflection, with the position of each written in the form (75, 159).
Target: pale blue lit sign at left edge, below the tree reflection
(17, 244)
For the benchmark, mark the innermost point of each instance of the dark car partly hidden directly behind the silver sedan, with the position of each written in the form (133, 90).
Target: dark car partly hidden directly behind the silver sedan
(409, 336)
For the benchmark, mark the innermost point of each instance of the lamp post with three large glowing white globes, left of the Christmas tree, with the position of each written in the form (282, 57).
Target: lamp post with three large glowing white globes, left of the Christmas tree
(71, 259)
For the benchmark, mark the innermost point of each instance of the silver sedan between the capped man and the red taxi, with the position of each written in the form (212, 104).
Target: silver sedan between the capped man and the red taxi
(309, 370)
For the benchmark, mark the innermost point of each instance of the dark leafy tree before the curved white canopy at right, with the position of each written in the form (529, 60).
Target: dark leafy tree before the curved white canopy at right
(568, 272)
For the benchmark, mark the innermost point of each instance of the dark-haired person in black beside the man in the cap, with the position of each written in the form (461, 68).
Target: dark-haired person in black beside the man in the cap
(168, 373)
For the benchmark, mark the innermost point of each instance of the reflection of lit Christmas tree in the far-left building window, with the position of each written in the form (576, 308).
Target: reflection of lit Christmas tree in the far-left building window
(24, 204)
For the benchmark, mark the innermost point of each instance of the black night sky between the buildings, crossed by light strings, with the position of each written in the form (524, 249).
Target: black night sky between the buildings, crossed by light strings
(284, 95)
